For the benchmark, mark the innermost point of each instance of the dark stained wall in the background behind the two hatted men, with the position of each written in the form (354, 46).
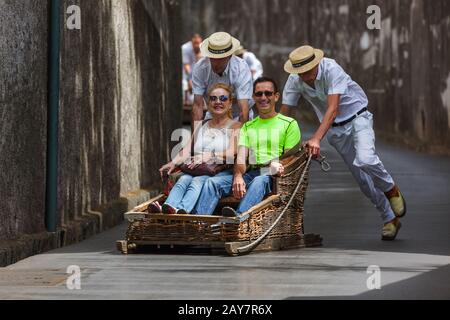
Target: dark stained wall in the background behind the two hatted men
(404, 67)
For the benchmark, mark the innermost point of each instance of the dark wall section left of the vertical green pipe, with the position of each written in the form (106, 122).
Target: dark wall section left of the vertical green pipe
(23, 112)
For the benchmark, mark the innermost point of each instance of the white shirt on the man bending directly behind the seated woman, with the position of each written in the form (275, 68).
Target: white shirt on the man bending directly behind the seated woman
(237, 75)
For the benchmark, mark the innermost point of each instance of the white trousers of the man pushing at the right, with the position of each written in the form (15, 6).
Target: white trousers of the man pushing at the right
(355, 142)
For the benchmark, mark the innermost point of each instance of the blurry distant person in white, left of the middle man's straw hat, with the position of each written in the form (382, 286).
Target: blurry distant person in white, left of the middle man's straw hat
(190, 55)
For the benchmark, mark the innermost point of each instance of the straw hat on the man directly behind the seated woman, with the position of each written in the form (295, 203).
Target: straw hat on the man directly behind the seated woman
(219, 45)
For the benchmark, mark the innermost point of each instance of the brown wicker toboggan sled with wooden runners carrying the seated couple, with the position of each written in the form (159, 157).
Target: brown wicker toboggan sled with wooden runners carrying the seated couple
(256, 229)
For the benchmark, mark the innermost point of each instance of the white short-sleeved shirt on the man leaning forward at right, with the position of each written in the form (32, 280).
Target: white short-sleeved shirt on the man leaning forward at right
(331, 79)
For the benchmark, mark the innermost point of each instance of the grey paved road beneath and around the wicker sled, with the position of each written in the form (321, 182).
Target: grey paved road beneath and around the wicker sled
(415, 266)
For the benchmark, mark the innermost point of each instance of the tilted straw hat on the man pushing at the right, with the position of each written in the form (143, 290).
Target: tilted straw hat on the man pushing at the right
(303, 59)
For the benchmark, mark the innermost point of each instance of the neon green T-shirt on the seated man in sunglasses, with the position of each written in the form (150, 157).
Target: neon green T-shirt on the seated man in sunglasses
(267, 139)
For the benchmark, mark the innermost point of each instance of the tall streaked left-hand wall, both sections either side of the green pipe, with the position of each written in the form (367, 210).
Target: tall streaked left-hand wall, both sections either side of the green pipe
(120, 100)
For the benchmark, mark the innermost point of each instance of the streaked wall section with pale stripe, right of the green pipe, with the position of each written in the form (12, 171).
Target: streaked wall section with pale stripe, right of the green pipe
(115, 94)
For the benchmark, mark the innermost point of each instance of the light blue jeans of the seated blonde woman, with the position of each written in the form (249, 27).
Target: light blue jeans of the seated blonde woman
(186, 192)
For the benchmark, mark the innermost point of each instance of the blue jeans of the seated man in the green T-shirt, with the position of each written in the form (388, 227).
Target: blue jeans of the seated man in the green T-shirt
(258, 186)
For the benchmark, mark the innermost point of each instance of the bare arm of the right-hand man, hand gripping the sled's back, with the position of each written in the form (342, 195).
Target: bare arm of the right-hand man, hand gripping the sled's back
(313, 144)
